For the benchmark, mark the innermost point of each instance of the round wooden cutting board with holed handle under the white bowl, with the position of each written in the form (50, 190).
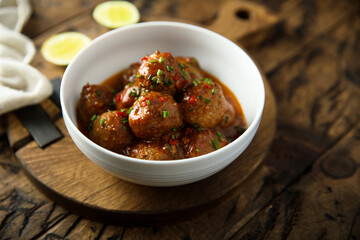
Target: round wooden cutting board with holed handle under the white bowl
(69, 178)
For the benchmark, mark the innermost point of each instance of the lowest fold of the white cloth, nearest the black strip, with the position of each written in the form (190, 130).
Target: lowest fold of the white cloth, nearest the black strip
(21, 85)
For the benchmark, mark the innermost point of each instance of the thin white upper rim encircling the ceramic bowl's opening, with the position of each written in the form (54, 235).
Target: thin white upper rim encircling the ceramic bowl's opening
(128, 159)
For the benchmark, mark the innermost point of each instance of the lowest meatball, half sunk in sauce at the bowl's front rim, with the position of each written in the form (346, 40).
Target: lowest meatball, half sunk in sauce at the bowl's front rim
(151, 150)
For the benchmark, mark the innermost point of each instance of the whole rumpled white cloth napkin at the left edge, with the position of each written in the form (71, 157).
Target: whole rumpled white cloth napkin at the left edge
(20, 84)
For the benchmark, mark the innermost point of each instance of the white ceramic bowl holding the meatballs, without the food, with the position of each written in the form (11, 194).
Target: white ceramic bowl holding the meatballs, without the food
(115, 50)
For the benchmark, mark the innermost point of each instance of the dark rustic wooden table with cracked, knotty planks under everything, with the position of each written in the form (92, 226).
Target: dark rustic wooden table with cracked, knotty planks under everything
(308, 186)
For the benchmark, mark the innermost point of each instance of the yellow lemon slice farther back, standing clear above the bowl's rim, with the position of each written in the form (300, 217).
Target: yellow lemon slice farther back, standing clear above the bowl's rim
(114, 14)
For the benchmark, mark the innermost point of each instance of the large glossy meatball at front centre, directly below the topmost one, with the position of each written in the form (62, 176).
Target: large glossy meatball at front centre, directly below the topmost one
(154, 114)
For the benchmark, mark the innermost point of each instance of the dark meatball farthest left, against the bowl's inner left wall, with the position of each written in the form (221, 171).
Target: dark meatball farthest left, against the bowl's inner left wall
(94, 100)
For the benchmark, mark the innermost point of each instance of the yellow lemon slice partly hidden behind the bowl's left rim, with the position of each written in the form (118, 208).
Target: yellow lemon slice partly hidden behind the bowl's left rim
(60, 48)
